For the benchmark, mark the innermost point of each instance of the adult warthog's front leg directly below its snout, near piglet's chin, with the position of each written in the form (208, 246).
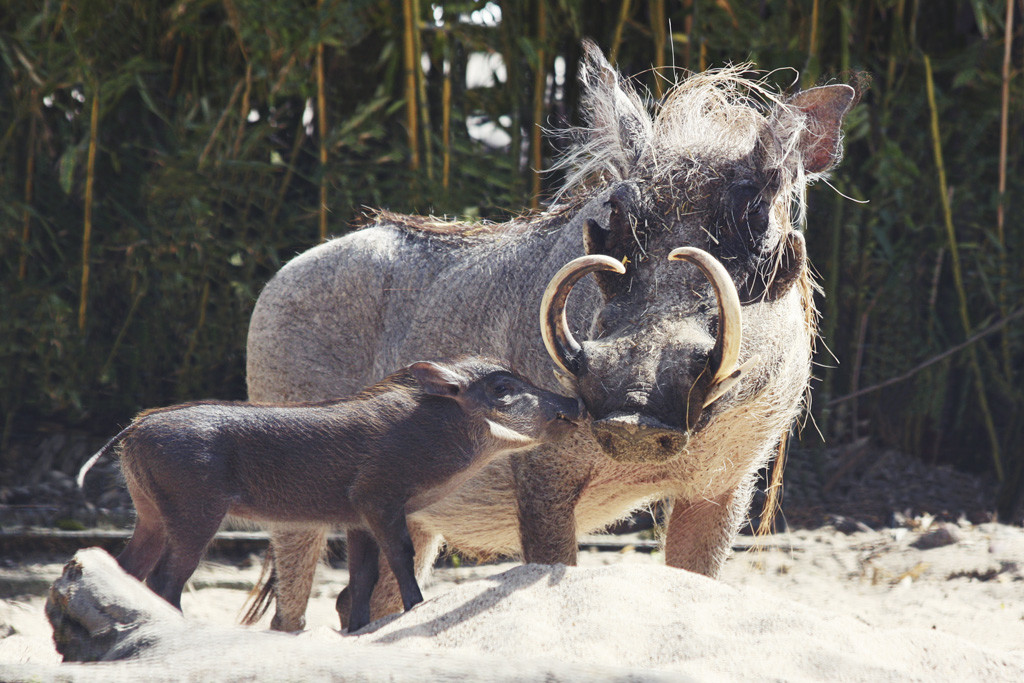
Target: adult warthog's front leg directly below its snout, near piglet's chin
(548, 487)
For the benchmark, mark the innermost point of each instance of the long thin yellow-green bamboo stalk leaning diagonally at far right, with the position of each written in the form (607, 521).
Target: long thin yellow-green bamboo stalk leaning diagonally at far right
(958, 273)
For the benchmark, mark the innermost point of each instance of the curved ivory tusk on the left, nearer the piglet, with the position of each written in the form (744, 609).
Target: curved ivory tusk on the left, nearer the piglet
(560, 343)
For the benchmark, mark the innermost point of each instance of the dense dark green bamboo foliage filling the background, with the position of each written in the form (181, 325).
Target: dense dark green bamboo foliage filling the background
(159, 161)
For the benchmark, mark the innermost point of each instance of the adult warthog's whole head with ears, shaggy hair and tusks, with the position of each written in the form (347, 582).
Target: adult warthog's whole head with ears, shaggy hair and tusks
(695, 252)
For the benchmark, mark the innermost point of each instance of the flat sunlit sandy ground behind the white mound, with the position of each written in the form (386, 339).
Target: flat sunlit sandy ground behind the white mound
(964, 580)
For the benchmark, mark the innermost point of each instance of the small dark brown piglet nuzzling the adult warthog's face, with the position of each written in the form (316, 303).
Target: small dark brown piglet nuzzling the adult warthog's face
(364, 463)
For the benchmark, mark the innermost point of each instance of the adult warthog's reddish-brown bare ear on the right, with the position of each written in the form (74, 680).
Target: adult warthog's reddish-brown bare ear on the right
(825, 108)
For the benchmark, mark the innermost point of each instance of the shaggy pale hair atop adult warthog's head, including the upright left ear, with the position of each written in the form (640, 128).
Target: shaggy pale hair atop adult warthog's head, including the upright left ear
(707, 118)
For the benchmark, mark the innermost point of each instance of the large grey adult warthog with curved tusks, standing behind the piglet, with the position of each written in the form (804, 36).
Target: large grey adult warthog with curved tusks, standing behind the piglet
(692, 375)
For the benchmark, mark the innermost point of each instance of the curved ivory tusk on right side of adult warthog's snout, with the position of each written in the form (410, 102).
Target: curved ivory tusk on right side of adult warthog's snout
(730, 320)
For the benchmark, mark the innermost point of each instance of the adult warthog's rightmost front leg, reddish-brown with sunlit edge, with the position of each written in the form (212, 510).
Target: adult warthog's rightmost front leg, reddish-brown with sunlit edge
(700, 534)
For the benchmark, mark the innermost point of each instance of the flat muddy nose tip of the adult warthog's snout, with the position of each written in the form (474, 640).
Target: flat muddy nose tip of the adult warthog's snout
(638, 438)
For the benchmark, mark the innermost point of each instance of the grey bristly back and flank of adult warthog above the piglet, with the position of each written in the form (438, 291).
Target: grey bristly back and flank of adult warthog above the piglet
(352, 311)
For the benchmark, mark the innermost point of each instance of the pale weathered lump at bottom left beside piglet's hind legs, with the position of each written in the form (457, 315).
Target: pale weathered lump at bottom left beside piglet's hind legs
(99, 613)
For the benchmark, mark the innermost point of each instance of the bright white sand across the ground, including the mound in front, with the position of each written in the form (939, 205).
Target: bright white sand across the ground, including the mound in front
(814, 606)
